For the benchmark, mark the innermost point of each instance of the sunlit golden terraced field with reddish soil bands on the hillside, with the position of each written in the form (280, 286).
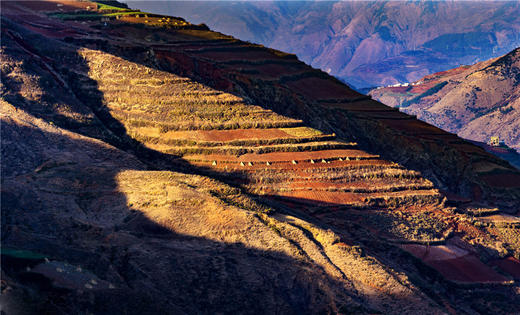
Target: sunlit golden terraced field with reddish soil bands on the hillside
(264, 152)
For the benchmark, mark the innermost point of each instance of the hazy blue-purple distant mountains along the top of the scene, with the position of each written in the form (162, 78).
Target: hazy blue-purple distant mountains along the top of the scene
(365, 43)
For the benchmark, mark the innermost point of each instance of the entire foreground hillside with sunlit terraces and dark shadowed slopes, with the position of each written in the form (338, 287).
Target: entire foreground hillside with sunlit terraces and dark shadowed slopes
(152, 165)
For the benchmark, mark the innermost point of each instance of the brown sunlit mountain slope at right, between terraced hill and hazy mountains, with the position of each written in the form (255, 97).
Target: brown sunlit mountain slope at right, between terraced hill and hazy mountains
(476, 102)
